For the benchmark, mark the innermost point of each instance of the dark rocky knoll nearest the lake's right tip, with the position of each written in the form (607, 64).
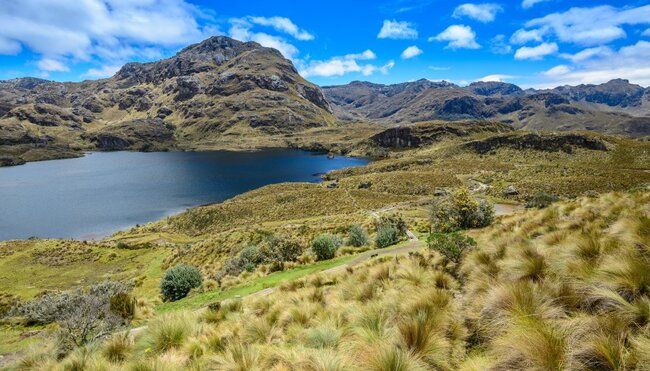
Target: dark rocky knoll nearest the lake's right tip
(427, 133)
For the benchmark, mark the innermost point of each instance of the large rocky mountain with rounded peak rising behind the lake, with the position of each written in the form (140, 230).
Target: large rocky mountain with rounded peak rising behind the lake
(220, 93)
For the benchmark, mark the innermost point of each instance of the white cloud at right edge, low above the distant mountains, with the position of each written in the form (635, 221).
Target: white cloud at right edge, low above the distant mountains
(629, 62)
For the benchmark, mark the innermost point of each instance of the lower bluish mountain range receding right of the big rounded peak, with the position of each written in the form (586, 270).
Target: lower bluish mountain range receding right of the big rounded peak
(616, 107)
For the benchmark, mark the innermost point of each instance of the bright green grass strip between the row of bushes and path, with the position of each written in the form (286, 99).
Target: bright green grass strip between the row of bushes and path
(271, 280)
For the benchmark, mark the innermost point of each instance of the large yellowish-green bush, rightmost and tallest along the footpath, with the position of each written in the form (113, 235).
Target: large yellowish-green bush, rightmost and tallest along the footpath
(460, 211)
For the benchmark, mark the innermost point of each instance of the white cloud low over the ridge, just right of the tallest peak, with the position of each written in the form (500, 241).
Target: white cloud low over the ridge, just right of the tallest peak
(339, 66)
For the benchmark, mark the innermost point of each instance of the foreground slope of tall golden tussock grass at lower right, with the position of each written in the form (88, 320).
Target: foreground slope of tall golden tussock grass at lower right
(565, 287)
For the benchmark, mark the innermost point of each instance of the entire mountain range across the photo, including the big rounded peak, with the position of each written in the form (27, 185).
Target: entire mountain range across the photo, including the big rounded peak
(226, 94)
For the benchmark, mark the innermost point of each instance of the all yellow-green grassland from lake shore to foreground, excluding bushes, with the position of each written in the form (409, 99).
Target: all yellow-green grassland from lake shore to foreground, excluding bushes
(317, 322)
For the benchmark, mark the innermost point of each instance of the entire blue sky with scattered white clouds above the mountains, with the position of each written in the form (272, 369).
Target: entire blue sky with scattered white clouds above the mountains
(531, 43)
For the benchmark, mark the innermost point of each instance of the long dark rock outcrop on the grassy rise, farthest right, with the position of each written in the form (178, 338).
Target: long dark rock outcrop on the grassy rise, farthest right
(539, 142)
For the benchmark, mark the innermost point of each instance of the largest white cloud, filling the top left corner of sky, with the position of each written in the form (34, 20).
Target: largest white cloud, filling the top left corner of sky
(96, 29)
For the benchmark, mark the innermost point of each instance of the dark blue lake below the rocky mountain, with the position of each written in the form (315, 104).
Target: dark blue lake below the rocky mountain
(103, 192)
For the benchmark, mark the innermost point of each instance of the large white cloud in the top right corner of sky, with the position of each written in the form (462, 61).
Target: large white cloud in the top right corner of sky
(590, 26)
